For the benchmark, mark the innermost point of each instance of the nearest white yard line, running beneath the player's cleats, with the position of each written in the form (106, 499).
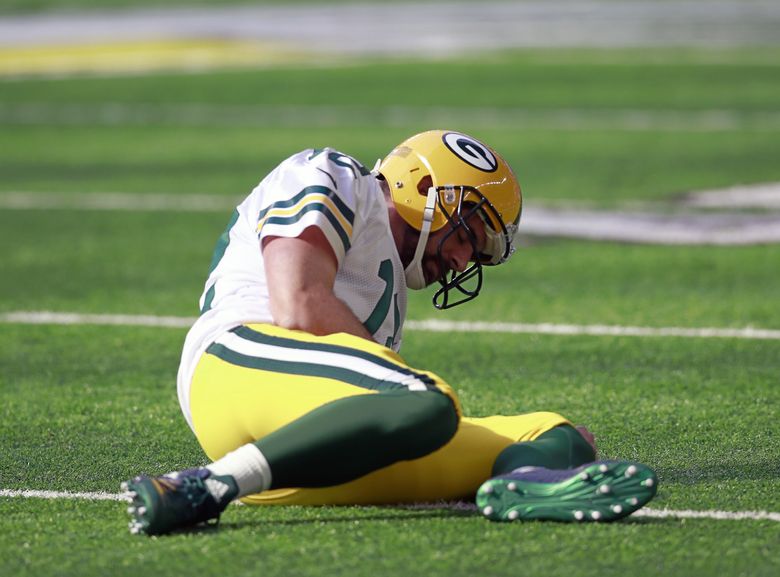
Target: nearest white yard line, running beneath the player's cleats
(645, 512)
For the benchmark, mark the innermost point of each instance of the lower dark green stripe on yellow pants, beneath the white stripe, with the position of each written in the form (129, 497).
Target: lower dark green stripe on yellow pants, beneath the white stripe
(302, 369)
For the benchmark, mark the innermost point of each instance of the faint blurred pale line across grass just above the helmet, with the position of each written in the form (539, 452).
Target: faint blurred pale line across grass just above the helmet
(305, 115)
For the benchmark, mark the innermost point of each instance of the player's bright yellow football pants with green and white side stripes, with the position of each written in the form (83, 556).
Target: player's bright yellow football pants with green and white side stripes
(233, 404)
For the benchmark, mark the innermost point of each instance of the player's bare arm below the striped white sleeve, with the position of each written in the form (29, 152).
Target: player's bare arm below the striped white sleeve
(301, 272)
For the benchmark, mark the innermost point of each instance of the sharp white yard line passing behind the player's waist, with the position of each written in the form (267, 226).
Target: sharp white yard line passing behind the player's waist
(429, 325)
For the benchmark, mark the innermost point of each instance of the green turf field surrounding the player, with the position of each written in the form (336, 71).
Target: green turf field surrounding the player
(84, 406)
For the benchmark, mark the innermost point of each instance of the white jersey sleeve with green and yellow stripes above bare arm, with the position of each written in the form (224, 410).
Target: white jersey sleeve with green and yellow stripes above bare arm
(309, 189)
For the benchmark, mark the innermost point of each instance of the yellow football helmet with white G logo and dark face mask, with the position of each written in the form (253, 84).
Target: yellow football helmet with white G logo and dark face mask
(439, 176)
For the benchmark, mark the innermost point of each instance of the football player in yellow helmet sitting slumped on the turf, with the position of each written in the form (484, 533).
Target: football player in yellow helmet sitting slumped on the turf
(291, 379)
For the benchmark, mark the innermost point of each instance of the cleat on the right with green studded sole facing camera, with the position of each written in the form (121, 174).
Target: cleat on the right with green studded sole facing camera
(600, 491)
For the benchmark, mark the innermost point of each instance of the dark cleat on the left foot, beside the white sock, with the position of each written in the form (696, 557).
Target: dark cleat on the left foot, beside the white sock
(179, 500)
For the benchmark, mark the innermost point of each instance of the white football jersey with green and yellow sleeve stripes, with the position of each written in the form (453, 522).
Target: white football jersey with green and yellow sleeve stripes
(321, 188)
